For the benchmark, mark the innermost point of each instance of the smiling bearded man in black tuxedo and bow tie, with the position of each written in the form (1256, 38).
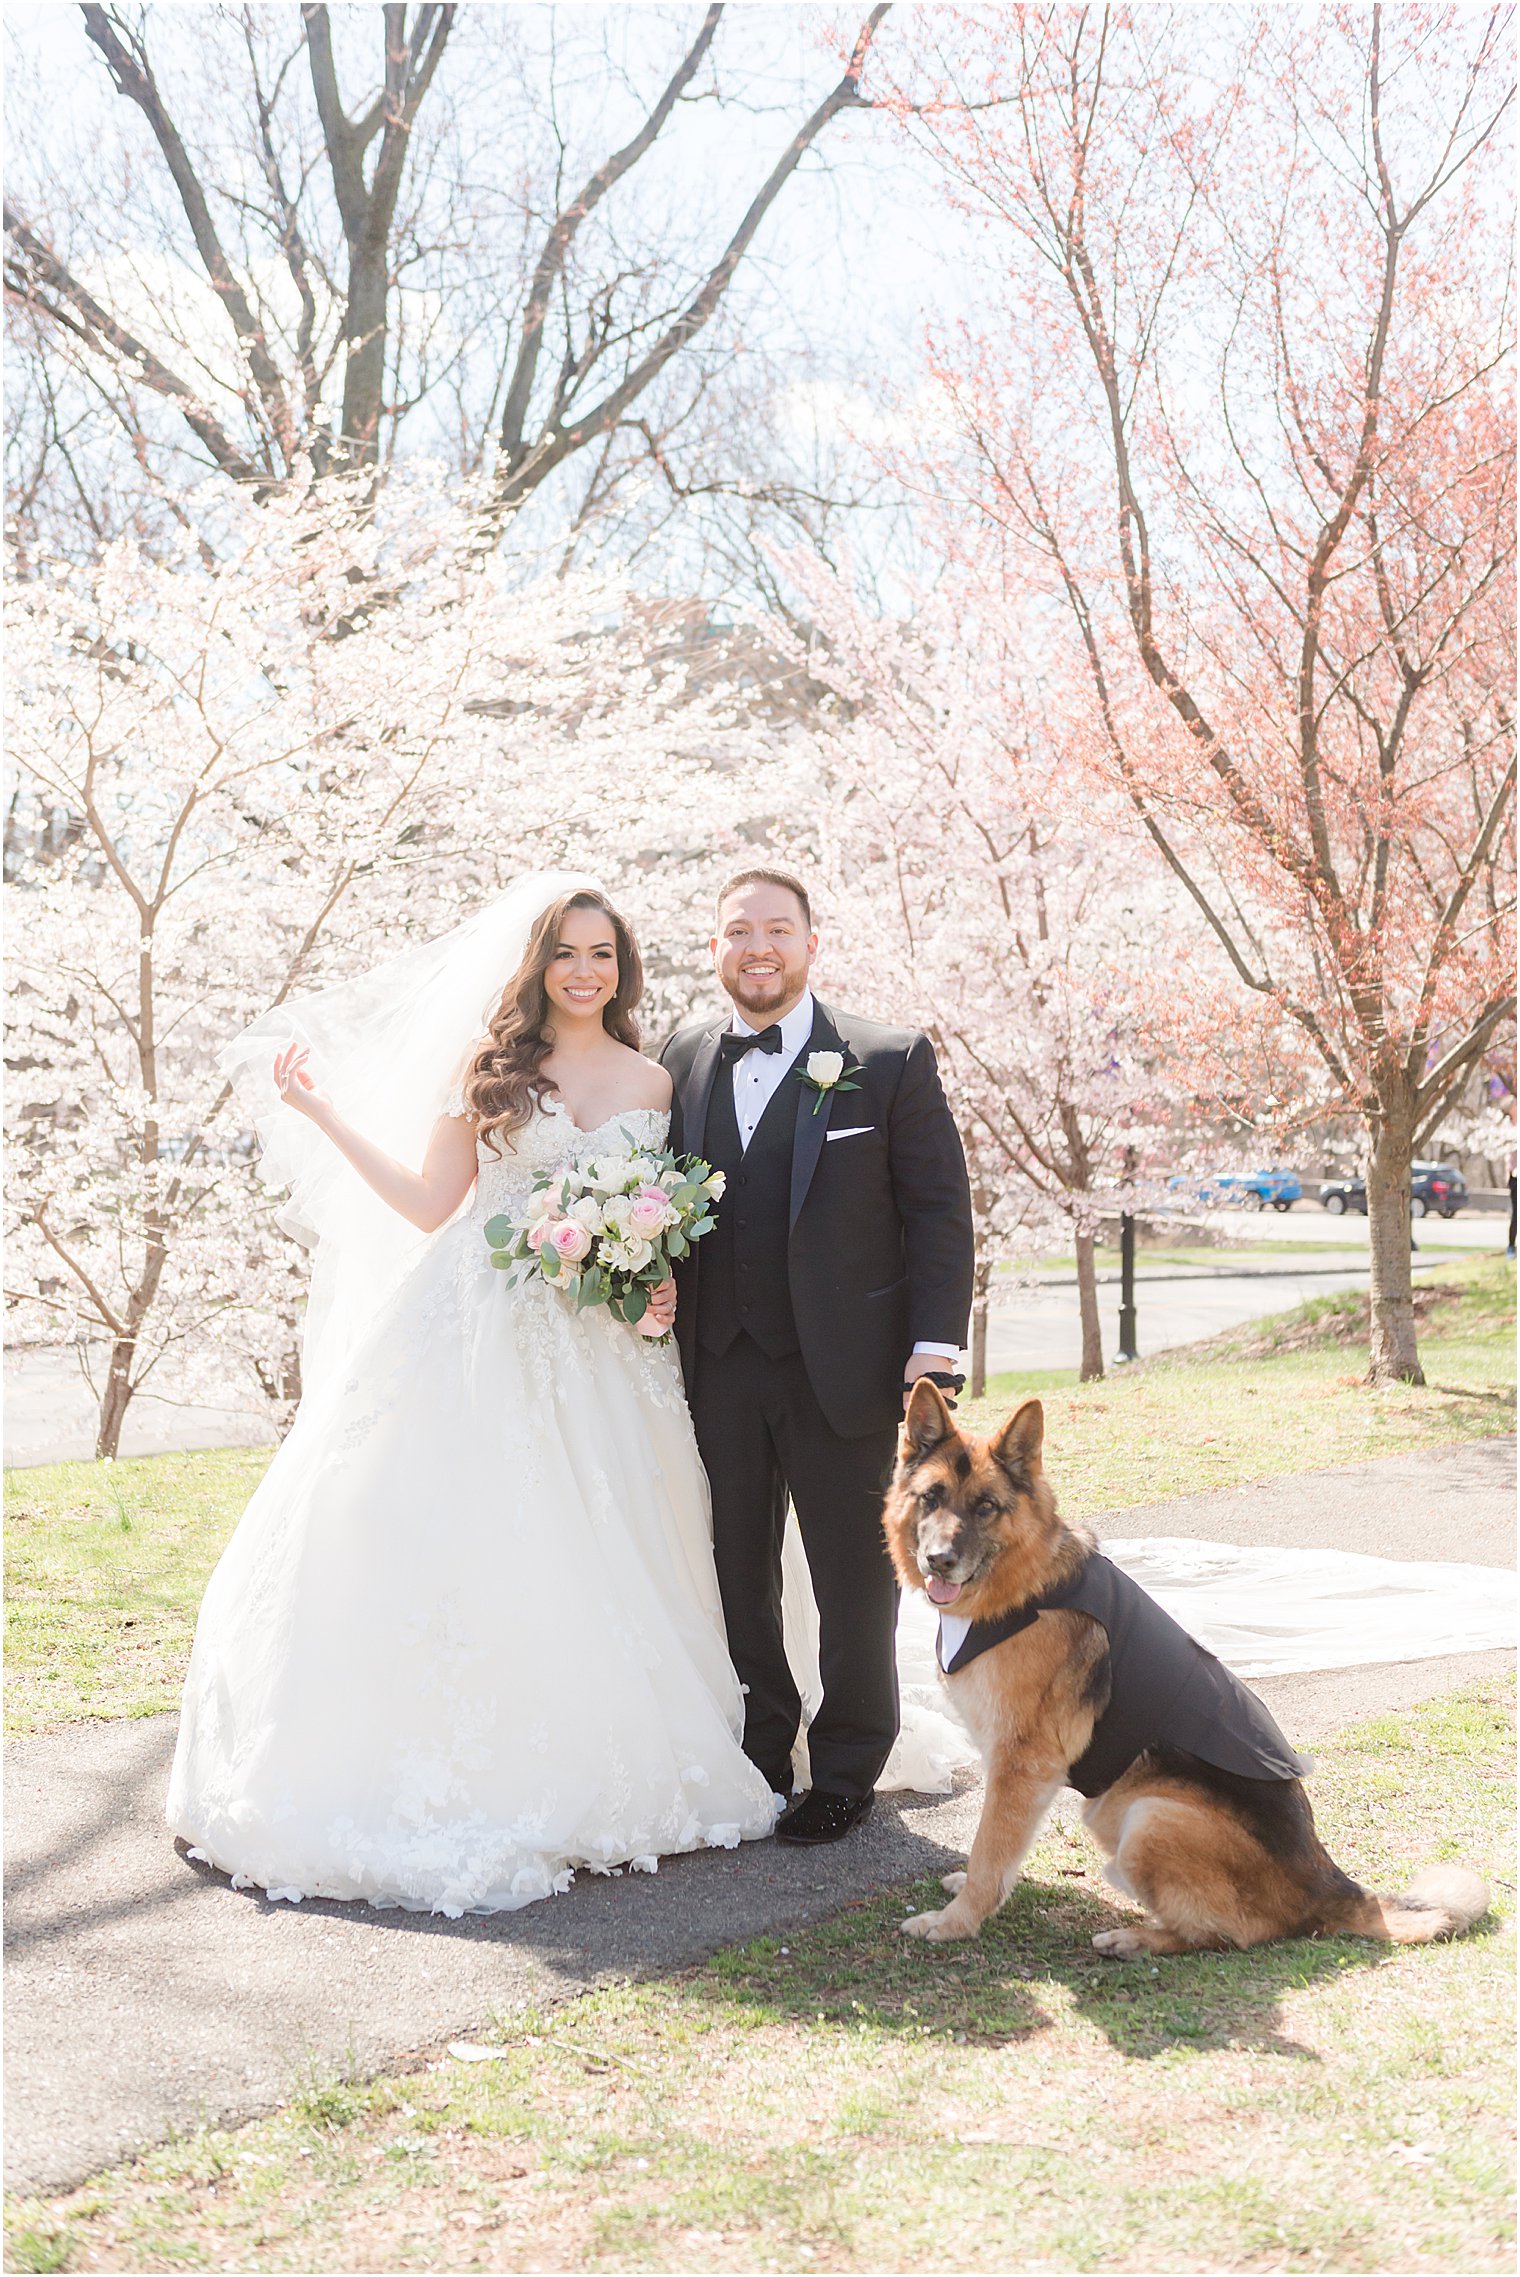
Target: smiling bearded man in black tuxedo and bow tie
(839, 1269)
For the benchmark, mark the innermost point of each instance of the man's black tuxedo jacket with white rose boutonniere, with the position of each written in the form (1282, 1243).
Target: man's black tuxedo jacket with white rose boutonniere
(879, 1231)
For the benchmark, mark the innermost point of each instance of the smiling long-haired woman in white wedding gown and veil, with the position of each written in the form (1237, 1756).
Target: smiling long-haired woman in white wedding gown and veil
(468, 1634)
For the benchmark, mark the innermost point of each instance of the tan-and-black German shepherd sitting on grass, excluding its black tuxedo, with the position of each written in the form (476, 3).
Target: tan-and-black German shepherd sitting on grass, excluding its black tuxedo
(1216, 1859)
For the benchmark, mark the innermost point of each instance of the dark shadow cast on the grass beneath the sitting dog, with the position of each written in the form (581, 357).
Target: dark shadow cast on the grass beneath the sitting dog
(859, 1973)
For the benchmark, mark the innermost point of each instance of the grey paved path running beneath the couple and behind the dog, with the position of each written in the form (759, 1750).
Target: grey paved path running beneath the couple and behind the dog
(147, 1996)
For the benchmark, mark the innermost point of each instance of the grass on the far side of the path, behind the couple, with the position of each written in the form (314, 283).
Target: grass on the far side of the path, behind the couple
(106, 1563)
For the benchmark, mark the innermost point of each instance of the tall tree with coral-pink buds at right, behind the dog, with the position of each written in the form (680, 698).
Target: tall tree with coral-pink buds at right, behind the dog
(1241, 402)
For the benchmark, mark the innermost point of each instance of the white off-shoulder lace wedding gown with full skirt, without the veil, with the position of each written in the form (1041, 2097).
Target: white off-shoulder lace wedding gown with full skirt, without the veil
(468, 1634)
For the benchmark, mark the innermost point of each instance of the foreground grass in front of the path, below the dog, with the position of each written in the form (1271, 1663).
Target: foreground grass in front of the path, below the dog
(850, 2101)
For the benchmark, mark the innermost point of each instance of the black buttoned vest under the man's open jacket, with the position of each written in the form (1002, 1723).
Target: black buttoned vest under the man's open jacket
(743, 1276)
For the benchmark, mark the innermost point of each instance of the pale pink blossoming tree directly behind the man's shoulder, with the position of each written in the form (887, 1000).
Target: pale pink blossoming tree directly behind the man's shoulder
(975, 896)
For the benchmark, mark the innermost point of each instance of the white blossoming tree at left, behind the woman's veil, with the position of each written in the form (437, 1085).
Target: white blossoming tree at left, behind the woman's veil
(261, 764)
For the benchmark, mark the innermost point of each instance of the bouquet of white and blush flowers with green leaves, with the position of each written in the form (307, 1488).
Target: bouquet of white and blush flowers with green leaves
(609, 1231)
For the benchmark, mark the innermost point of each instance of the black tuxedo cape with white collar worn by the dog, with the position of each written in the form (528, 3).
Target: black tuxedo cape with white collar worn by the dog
(1164, 1688)
